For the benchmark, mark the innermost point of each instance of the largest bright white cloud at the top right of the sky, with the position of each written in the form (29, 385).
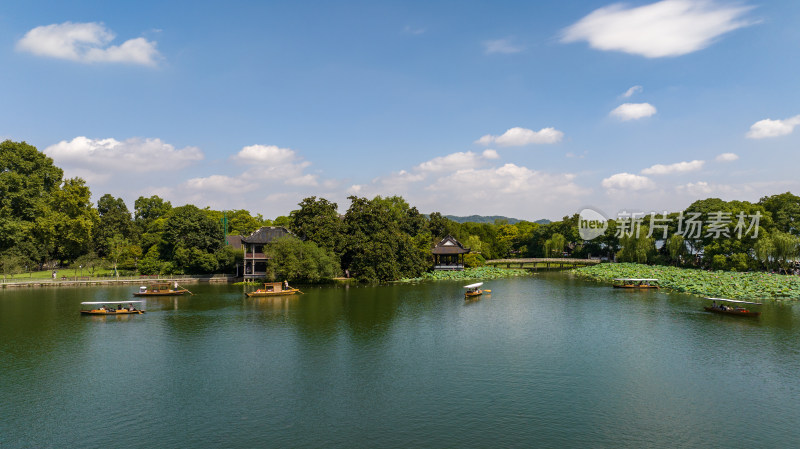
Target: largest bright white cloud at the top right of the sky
(665, 28)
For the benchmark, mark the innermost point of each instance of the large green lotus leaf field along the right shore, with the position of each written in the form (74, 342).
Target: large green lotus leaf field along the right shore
(720, 284)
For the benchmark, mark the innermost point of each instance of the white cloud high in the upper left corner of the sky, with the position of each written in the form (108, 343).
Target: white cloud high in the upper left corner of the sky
(86, 42)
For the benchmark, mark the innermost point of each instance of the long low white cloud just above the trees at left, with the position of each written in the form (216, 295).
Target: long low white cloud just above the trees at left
(131, 155)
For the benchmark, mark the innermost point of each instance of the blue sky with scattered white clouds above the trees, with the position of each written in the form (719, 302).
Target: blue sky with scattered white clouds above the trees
(525, 109)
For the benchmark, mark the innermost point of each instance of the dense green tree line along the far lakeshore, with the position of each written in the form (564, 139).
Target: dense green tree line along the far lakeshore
(48, 221)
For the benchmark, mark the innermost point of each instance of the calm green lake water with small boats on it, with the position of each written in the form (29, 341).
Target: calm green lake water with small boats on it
(545, 361)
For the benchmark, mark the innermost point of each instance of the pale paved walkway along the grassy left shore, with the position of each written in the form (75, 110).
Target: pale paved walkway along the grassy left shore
(122, 280)
